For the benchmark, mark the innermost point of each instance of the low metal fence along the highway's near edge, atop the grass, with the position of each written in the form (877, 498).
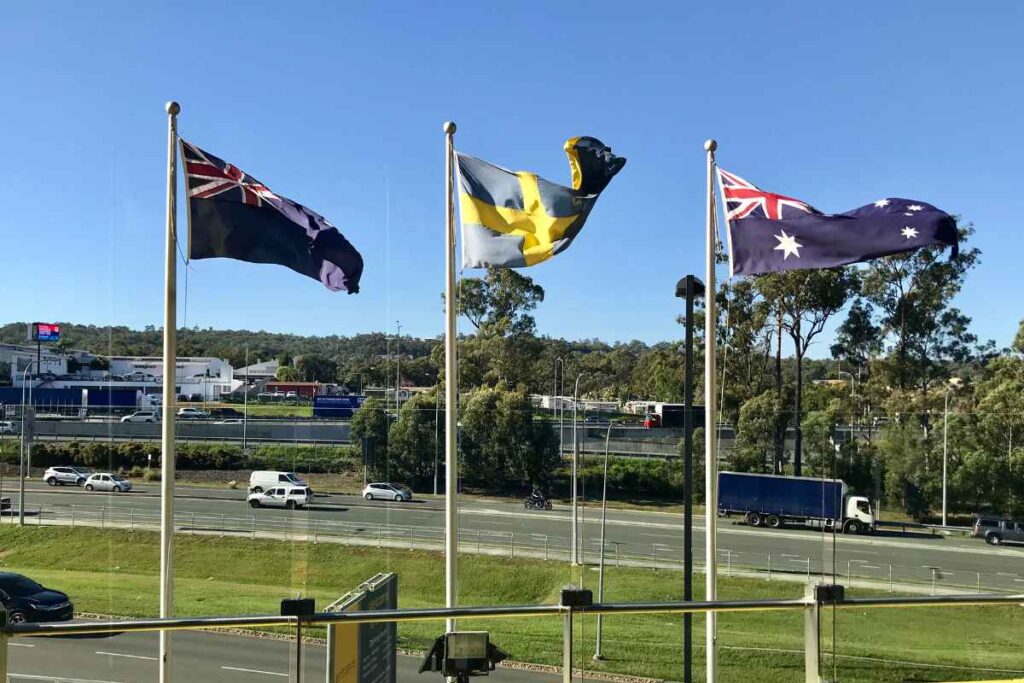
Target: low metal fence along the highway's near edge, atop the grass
(296, 527)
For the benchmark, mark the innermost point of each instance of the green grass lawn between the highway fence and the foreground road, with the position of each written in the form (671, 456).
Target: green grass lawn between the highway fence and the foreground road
(117, 573)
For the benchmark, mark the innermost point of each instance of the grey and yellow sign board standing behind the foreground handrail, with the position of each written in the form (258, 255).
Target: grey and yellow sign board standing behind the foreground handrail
(365, 653)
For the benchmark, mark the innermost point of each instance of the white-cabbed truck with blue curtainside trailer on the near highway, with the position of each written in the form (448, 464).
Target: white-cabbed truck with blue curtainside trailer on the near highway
(767, 500)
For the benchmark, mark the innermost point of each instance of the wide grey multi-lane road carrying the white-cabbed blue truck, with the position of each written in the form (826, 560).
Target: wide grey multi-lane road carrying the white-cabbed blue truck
(637, 537)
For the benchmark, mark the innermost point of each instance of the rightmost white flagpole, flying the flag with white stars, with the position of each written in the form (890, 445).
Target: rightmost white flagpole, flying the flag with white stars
(711, 423)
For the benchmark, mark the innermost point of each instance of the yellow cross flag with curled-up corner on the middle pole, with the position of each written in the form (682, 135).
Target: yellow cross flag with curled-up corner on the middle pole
(515, 220)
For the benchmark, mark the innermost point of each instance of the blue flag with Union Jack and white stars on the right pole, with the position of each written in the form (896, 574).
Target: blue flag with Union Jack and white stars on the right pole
(770, 233)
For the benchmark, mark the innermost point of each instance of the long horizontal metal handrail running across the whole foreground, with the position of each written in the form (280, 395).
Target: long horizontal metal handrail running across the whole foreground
(509, 612)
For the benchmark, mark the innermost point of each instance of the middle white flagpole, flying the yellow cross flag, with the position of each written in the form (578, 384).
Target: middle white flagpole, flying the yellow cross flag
(451, 387)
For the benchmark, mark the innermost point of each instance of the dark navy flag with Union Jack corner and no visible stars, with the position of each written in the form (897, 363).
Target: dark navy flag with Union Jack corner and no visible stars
(234, 216)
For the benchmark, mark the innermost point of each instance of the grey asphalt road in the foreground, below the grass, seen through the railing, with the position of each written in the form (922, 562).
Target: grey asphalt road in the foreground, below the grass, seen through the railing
(196, 657)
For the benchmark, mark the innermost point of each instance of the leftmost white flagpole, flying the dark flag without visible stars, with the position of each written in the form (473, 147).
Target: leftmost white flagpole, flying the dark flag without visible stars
(167, 432)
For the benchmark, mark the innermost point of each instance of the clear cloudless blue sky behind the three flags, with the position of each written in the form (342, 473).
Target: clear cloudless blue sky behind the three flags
(339, 106)
